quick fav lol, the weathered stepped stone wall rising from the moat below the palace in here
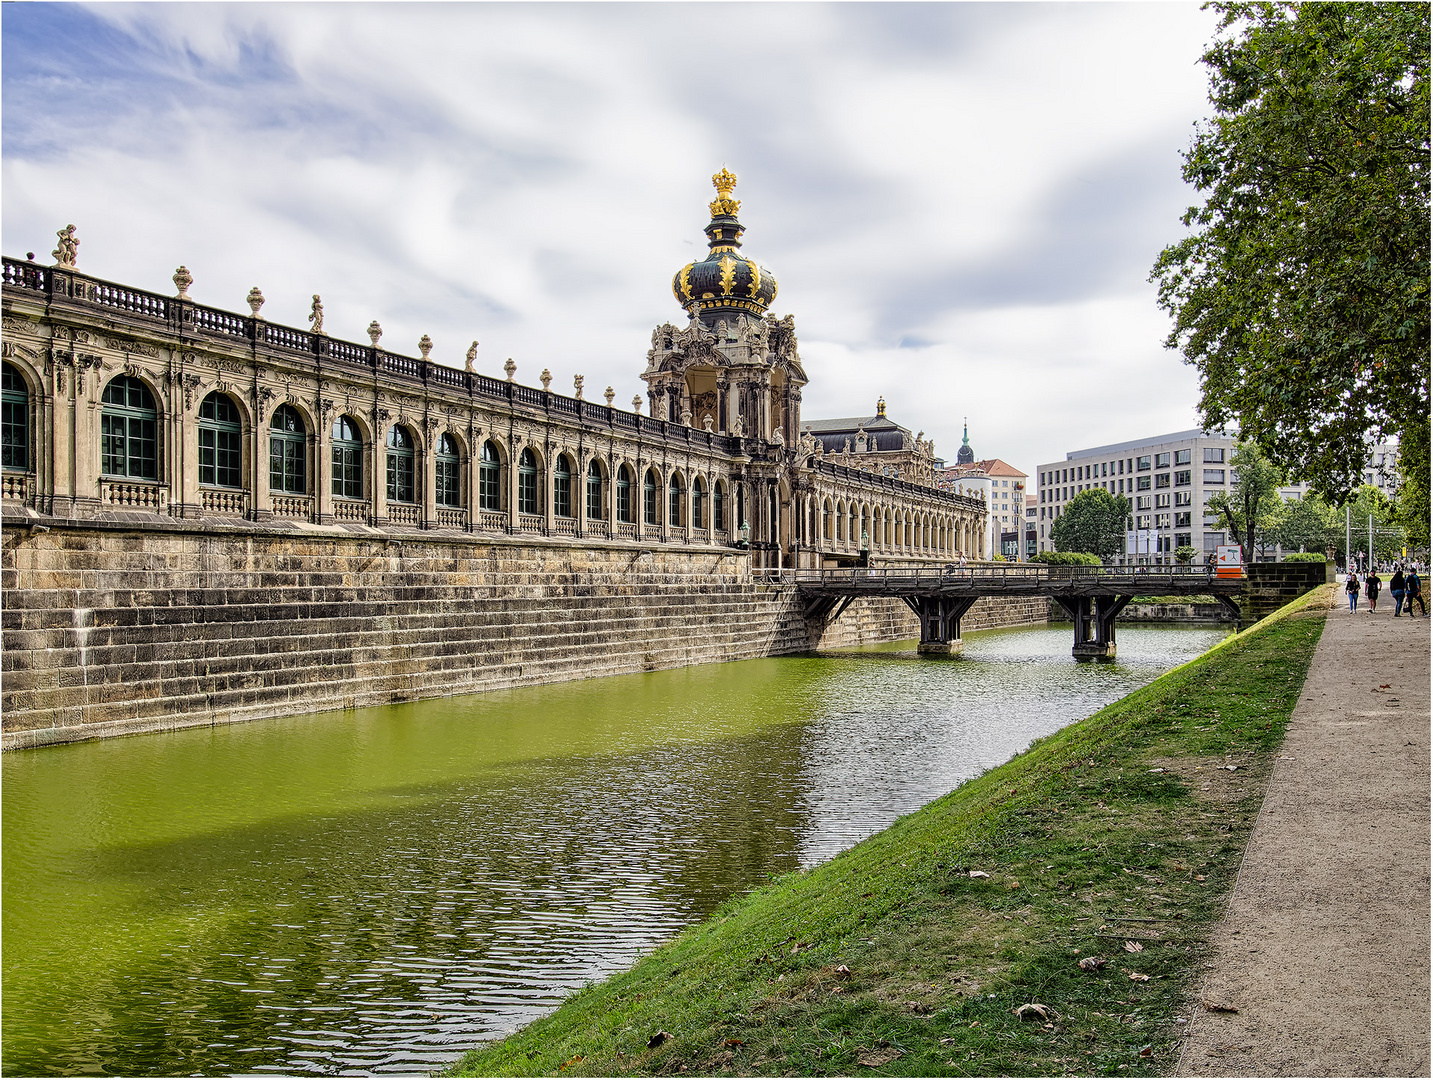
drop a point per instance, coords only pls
(114, 631)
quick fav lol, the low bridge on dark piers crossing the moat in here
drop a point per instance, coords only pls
(939, 597)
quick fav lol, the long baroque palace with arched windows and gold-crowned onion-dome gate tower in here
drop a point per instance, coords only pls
(128, 405)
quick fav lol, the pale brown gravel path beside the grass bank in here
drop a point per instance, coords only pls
(1325, 949)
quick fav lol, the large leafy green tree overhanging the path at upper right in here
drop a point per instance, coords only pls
(1302, 293)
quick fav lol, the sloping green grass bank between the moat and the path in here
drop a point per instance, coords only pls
(1114, 843)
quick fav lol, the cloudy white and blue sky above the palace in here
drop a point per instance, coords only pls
(961, 203)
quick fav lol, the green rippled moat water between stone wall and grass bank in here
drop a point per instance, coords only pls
(376, 892)
